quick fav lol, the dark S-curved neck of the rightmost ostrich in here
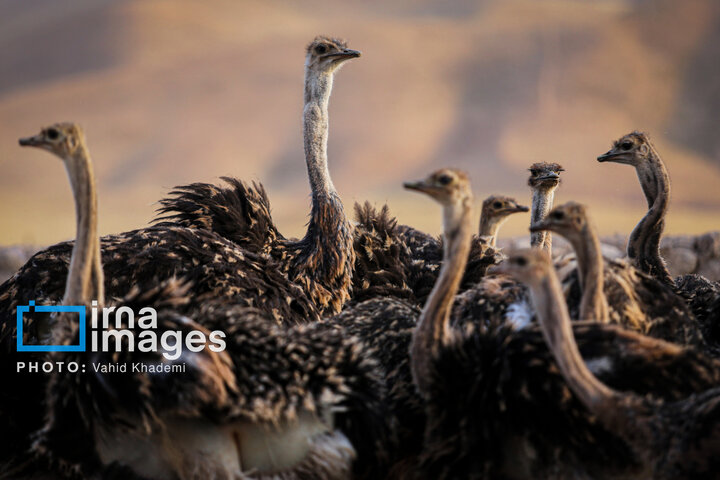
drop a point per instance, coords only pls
(644, 243)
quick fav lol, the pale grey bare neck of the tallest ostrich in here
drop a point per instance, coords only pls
(315, 130)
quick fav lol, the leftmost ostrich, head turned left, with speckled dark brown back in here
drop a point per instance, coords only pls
(217, 269)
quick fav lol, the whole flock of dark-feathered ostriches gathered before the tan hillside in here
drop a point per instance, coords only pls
(366, 349)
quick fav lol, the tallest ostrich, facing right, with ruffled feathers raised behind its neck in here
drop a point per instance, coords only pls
(322, 261)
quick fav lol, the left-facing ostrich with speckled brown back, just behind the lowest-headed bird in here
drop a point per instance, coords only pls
(617, 292)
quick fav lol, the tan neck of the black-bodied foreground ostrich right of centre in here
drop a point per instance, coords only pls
(433, 329)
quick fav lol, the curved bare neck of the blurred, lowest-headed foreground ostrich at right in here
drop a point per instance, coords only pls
(555, 321)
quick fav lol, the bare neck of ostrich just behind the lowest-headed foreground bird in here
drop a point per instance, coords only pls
(593, 305)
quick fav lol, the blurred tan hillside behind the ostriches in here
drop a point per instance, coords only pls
(177, 91)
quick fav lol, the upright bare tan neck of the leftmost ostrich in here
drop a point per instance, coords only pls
(85, 277)
